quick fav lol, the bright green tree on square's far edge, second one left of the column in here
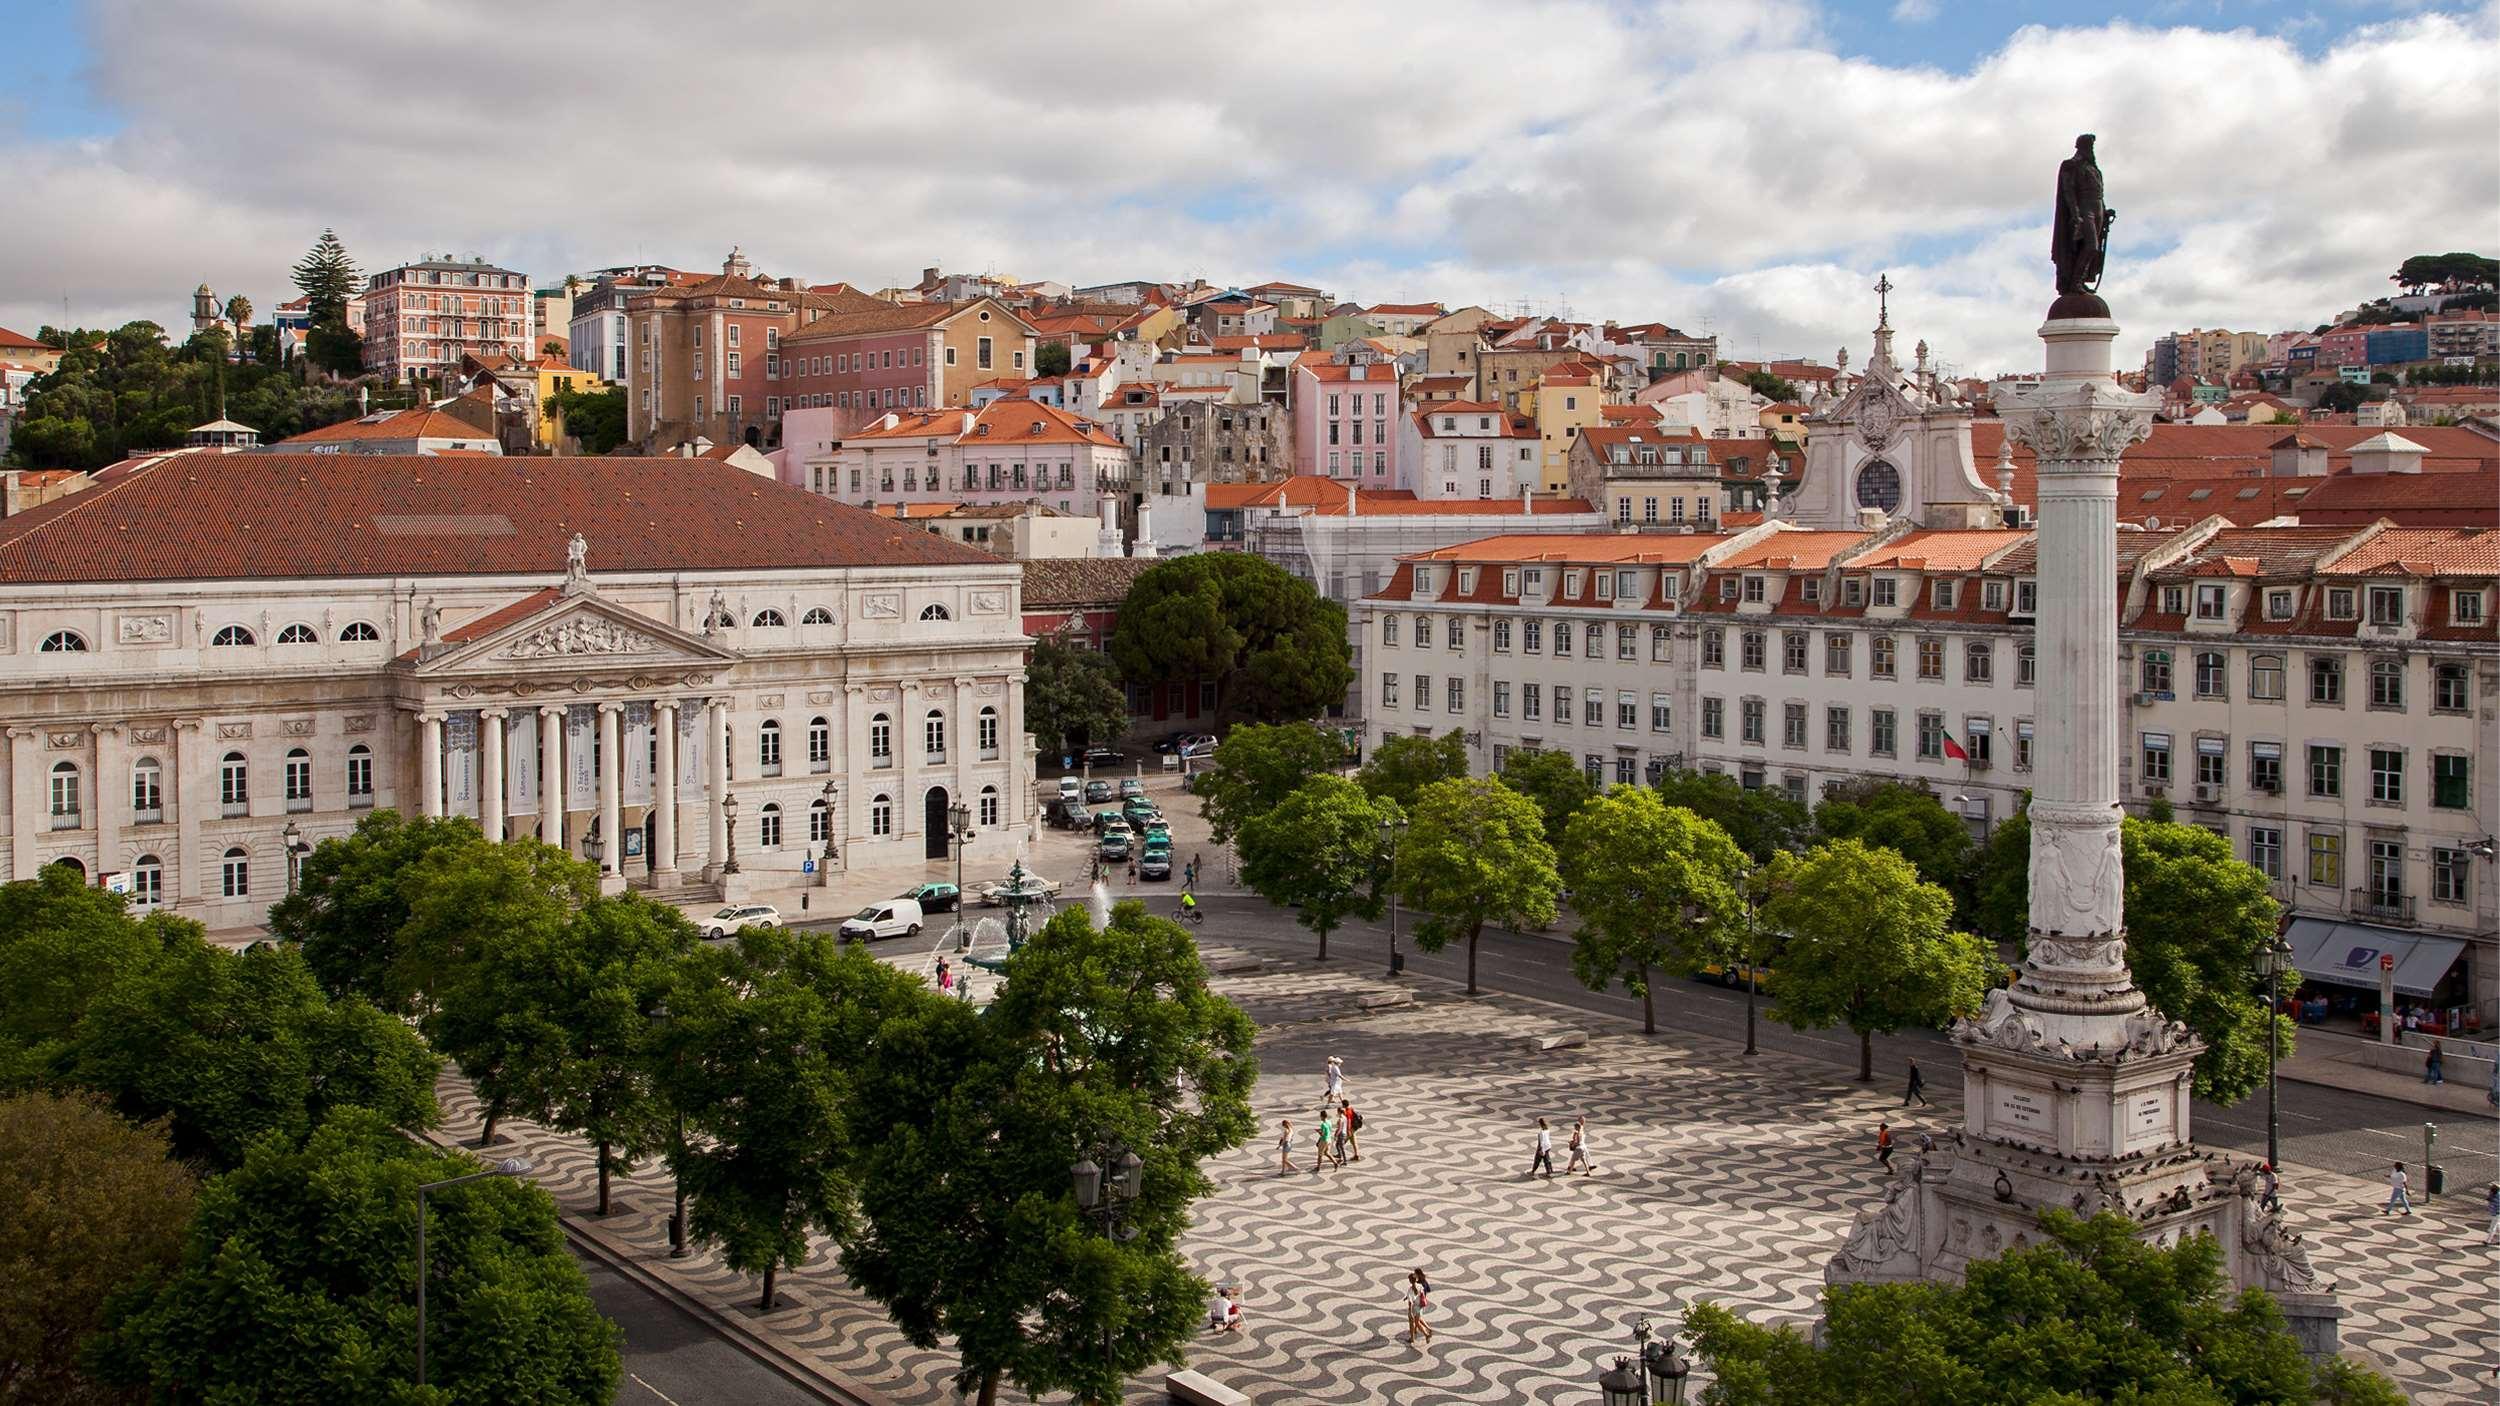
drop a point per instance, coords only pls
(1656, 889)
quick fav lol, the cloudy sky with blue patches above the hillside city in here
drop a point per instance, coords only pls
(1744, 166)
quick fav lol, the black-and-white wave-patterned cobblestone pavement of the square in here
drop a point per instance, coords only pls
(1716, 1180)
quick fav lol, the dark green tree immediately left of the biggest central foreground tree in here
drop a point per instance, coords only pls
(764, 1052)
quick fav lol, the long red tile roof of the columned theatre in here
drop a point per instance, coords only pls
(321, 517)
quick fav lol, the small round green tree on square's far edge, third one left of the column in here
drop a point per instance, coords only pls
(1476, 854)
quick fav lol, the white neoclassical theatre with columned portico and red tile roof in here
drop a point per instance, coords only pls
(689, 674)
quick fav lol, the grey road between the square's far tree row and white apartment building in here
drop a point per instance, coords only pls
(2331, 1130)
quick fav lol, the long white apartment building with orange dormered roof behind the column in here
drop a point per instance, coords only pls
(2329, 699)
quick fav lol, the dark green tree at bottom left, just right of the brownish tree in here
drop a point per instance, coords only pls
(296, 1287)
